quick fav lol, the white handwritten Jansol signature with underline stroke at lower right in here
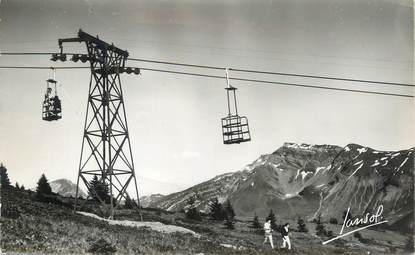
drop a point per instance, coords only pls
(372, 219)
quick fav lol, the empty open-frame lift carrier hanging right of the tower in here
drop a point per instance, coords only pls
(235, 128)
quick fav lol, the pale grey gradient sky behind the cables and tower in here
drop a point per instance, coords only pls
(174, 120)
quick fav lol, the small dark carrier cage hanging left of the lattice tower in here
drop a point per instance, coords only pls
(52, 108)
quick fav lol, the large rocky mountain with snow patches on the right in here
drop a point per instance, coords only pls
(306, 180)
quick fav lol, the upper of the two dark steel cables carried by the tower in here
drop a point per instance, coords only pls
(236, 70)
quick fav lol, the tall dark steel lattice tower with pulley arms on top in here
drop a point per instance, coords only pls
(106, 148)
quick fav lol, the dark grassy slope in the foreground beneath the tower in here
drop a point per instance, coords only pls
(51, 228)
